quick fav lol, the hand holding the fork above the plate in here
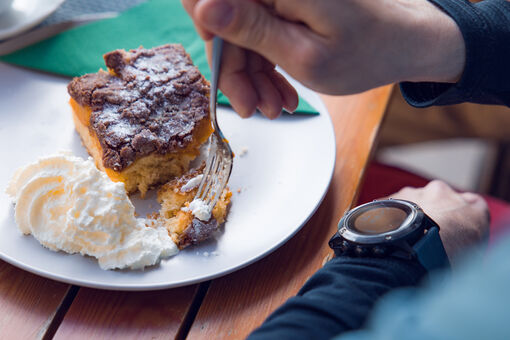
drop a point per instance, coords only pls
(334, 47)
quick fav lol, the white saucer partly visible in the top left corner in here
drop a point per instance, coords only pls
(25, 14)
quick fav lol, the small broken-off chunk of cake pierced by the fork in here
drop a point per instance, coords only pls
(183, 227)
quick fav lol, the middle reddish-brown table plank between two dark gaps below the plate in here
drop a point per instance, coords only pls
(100, 314)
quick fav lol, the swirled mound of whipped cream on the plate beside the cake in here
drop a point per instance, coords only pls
(67, 204)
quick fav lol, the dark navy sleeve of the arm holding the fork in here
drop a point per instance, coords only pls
(485, 27)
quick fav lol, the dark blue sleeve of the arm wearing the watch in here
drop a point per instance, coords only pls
(338, 297)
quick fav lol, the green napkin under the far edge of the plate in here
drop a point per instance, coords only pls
(80, 50)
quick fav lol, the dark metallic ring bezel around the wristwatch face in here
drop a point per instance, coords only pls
(411, 224)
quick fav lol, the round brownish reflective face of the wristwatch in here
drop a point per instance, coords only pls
(379, 220)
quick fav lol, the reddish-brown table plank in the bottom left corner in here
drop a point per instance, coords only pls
(28, 303)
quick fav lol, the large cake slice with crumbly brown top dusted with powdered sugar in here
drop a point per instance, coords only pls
(144, 120)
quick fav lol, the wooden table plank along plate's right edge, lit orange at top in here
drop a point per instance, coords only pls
(236, 304)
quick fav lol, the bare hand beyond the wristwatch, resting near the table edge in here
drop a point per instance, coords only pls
(463, 218)
